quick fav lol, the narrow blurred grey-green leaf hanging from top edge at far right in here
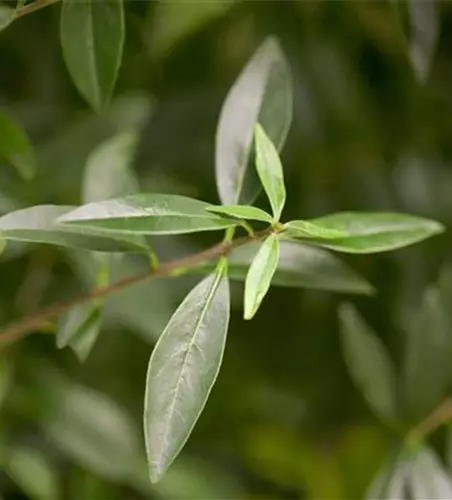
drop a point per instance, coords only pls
(424, 19)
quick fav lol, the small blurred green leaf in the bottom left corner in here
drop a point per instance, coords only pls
(33, 473)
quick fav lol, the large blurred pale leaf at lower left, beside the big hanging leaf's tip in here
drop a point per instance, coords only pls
(90, 428)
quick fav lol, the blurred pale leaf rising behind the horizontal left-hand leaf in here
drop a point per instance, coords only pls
(107, 171)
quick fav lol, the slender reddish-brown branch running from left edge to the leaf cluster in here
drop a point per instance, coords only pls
(24, 327)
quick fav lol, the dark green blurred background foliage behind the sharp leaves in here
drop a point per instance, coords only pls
(284, 419)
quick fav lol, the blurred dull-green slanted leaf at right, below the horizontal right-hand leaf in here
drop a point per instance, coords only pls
(368, 363)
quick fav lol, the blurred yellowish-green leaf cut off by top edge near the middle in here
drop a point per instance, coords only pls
(173, 22)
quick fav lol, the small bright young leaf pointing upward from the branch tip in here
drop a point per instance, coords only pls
(270, 171)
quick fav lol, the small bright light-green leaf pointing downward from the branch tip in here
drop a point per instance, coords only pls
(260, 275)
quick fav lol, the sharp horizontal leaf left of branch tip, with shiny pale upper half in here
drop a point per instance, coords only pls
(147, 214)
